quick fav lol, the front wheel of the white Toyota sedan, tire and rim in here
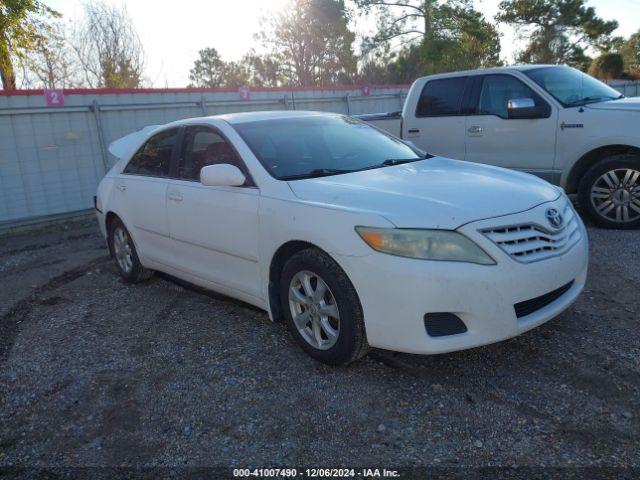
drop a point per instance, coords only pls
(322, 308)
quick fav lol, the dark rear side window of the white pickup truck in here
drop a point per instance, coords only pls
(441, 97)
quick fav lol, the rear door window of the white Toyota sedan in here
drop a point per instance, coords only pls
(153, 159)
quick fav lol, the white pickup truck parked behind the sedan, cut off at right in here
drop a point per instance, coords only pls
(552, 121)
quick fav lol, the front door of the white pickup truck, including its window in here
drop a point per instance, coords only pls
(492, 137)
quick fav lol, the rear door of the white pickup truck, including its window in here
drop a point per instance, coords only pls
(437, 125)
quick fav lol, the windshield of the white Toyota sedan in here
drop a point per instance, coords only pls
(322, 145)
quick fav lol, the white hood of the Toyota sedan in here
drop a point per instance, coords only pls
(432, 193)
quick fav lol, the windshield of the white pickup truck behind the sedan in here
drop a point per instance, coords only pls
(571, 87)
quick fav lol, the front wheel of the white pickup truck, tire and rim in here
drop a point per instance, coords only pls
(609, 193)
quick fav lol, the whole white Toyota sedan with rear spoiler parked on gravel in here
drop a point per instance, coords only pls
(351, 236)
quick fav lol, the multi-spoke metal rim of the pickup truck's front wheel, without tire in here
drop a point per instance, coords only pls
(615, 195)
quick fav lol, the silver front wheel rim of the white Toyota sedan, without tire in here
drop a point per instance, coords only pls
(314, 310)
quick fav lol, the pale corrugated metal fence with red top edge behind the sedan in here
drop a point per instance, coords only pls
(52, 157)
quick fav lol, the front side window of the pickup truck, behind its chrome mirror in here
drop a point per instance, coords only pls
(496, 92)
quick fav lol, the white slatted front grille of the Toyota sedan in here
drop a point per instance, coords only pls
(532, 242)
